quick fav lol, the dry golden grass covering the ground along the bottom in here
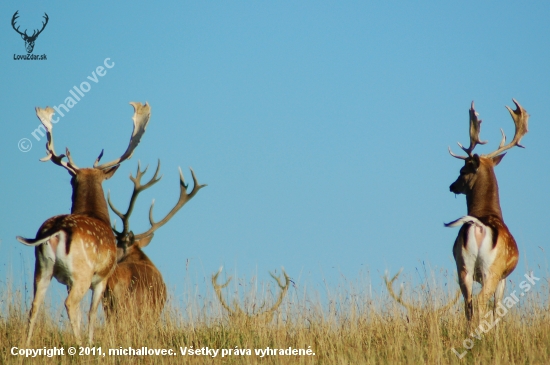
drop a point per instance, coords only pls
(351, 326)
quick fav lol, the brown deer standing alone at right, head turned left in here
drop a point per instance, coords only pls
(484, 249)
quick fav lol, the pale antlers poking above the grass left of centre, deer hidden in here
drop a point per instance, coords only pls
(237, 314)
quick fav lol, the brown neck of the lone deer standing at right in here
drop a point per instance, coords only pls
(483, 199)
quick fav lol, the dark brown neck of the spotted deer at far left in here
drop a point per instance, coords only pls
(89, 199)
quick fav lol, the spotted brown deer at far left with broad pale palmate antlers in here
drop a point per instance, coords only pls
(79, 249)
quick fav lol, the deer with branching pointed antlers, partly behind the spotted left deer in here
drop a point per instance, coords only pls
(136, 286)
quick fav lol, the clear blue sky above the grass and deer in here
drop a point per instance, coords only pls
(321, 128)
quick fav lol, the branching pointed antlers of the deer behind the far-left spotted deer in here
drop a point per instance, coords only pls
(138, 188)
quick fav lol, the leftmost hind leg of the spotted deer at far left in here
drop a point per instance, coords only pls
(43, 272)
